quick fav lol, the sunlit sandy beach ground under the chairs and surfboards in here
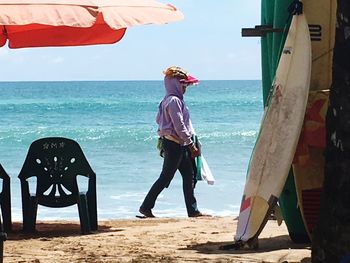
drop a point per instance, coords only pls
(150, 240)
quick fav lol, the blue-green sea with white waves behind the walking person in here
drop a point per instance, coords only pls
(114, 123)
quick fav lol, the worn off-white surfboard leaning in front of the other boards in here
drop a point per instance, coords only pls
(279, 133)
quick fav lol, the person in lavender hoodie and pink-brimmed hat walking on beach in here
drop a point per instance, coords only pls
(175, 131)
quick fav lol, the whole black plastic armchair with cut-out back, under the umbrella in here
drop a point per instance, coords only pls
(56, 162)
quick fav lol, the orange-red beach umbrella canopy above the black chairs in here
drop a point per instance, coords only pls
(44, 23)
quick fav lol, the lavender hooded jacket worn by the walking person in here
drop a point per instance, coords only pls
(173, 117)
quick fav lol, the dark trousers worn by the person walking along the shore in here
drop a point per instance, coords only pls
(176, 157)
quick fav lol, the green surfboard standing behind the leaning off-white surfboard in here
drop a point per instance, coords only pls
(275, 13)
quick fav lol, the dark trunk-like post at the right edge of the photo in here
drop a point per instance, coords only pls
(331, 236)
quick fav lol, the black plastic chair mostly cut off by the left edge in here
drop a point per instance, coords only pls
(5, 200)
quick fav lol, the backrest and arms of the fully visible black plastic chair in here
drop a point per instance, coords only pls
(56, 162)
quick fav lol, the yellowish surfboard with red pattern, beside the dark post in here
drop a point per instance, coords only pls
(309, 161)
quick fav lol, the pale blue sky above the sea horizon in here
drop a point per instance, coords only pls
(207, 43)
